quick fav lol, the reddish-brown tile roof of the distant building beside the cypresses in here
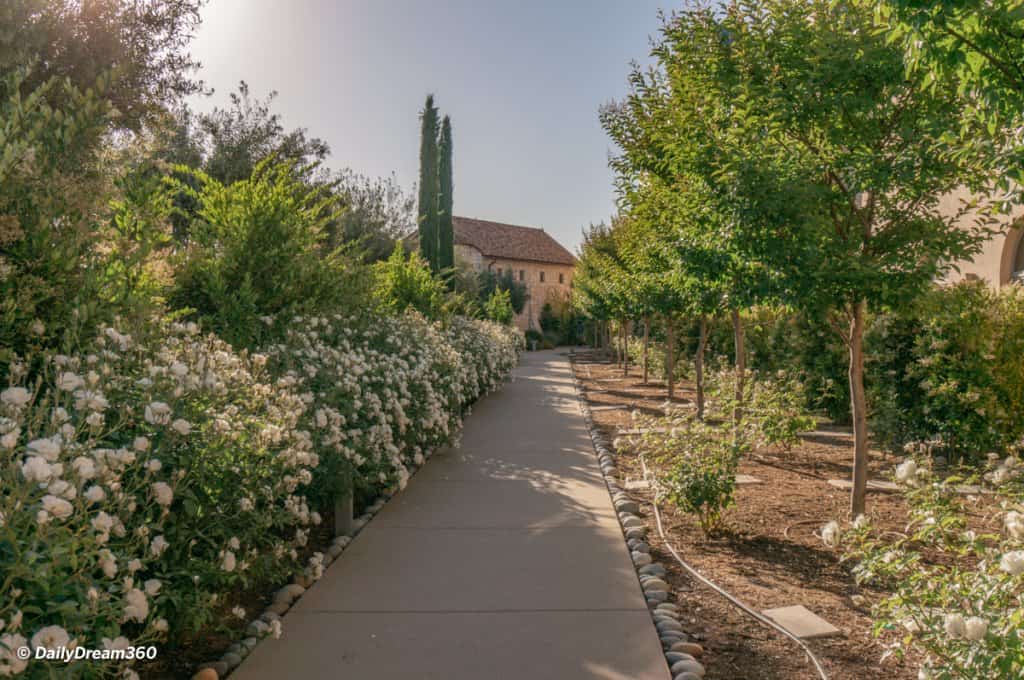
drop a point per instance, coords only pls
(510, 242)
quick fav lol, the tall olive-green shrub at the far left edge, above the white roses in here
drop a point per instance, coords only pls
(53, 204)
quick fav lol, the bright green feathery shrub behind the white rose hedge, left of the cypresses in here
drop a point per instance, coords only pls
(258, 250)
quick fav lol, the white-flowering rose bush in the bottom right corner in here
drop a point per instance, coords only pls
(956, 591)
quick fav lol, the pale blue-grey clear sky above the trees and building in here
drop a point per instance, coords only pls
(523, 81)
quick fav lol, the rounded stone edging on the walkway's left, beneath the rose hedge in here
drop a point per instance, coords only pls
(285, 599)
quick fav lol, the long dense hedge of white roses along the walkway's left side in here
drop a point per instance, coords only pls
(144, 480)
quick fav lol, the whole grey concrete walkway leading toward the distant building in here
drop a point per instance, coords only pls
(501, 560)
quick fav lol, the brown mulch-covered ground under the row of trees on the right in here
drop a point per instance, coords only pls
(769, 556)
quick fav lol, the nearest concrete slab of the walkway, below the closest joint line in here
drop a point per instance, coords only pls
(509, 646)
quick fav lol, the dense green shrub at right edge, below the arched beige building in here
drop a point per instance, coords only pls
(951, 370)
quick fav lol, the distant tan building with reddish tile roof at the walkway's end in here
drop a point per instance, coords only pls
(534, 258)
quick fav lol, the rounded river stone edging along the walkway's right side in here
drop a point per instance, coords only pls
(680, 652)
